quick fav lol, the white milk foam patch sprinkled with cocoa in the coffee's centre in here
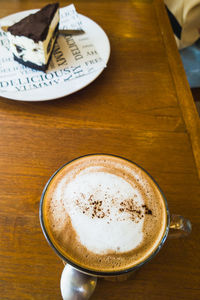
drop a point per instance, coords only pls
(106, 211)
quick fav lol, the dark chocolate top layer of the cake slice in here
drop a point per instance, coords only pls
(35, 26)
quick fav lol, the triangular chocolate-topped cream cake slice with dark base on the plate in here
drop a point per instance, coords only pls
(32, 38)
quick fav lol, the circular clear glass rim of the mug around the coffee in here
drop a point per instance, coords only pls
(87, 270)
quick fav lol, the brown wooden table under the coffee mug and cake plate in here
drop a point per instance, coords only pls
(140, 108)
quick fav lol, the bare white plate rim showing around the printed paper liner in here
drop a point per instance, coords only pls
(102, 45)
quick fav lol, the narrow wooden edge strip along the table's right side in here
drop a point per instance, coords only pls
(184, 96)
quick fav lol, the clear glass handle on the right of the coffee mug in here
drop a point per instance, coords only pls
(179, 226)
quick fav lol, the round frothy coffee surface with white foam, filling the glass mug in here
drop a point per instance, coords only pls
(103, 212)
